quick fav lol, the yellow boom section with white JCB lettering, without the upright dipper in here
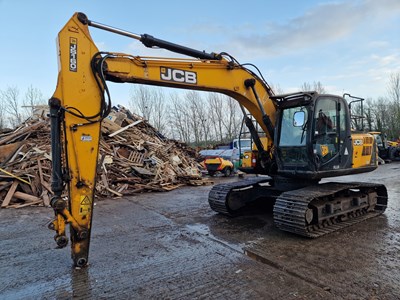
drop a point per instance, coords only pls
(213, 75)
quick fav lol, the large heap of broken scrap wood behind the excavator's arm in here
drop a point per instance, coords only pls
(134, 157)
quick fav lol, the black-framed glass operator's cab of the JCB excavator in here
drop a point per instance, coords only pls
(313, 135)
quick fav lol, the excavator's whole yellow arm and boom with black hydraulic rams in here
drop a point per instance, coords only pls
(79, 104)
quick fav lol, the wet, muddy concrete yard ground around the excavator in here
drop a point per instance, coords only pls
(172, 246)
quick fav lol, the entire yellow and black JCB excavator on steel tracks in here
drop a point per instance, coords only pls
(309, 137)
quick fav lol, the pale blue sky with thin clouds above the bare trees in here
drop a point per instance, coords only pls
(349, 46)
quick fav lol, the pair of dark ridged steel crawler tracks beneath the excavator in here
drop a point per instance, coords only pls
(291, 207)
